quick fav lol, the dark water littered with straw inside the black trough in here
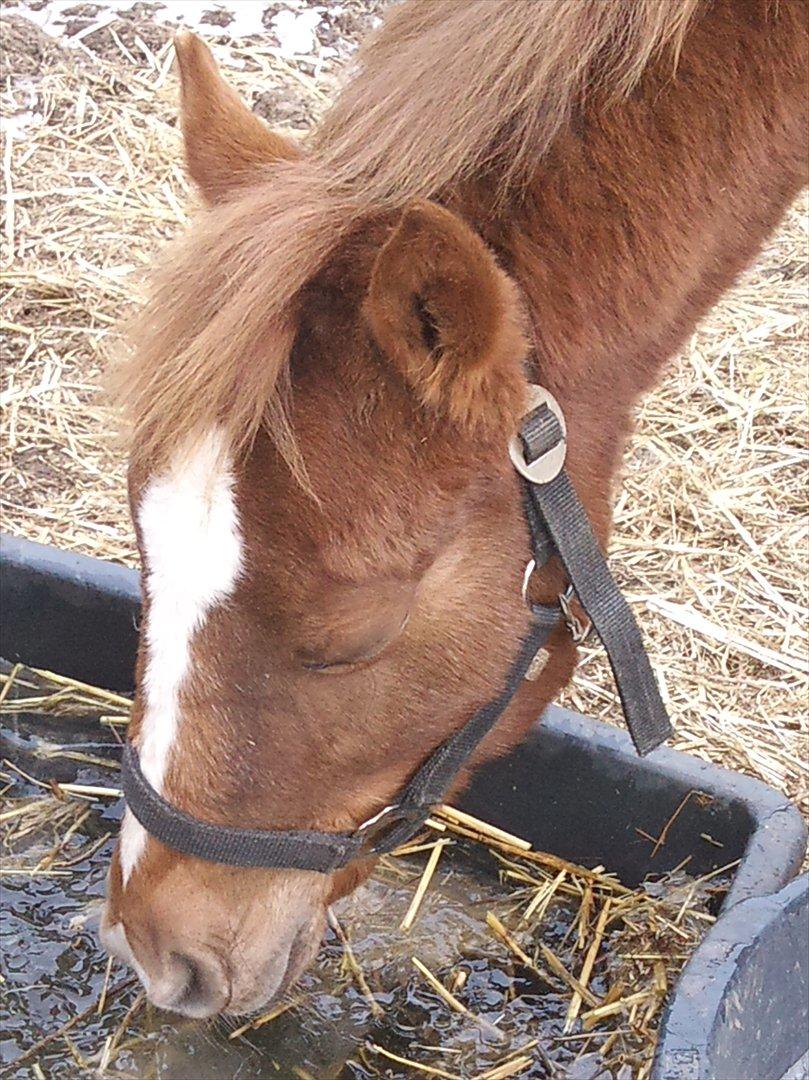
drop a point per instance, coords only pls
(57, 855)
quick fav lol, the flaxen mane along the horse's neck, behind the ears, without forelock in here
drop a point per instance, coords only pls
(447, 89)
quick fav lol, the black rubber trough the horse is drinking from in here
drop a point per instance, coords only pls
(740, 1010)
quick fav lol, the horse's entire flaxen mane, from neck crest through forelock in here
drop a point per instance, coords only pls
(443, 91)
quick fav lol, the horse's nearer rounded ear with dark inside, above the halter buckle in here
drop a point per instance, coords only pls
(443, 312)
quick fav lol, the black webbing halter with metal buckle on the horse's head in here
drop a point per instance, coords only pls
(559, 525)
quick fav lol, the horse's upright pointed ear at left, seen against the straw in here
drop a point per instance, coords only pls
(226, 144)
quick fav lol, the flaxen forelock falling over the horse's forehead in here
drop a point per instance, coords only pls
(211, 346)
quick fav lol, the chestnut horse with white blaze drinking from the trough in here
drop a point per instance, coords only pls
(323, 385)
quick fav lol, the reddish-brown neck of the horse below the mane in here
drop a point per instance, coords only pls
(641, 218)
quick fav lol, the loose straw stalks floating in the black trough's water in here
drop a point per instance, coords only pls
(617, 952)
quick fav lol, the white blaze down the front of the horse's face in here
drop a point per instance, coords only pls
(193, 553)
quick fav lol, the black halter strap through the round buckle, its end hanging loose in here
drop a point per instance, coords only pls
(567, 522)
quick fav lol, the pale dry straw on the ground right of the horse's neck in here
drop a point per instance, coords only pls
(711, 530)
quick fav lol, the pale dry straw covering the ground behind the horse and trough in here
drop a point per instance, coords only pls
(711, 531)
